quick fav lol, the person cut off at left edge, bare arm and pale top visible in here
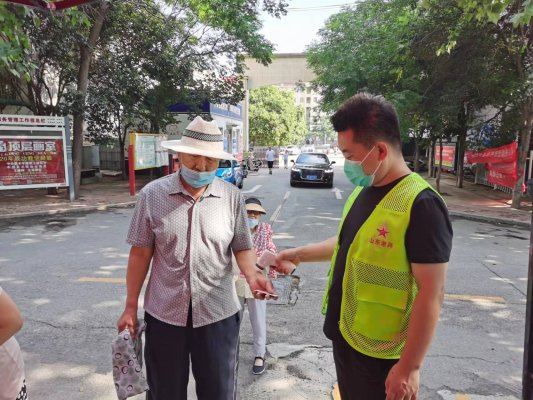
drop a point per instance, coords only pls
(12, 382)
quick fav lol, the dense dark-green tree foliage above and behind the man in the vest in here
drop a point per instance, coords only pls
(441, 80)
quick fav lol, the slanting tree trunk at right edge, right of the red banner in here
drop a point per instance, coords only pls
(524, 139)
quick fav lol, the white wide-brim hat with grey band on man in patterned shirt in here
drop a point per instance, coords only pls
(202, 138)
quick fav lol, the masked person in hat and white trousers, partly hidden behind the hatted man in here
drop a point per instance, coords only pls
(262, 240)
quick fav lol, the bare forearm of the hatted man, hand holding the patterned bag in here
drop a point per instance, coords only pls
(138, 265)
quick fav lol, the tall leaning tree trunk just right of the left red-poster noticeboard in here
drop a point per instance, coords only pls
(86, 52)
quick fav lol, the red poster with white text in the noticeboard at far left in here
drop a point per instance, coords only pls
(37, 161)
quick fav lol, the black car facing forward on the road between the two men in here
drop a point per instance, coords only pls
(312, 168)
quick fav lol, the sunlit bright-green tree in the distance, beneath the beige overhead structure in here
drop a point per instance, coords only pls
(275, 119)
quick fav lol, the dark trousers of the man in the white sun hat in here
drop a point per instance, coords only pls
(213, 351)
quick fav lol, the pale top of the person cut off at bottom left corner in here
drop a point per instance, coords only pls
(11, 368)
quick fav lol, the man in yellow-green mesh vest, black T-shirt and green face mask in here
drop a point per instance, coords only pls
(388, 261)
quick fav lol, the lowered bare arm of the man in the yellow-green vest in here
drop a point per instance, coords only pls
(404, 377)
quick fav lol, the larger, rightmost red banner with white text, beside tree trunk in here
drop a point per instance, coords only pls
(500, 163)
